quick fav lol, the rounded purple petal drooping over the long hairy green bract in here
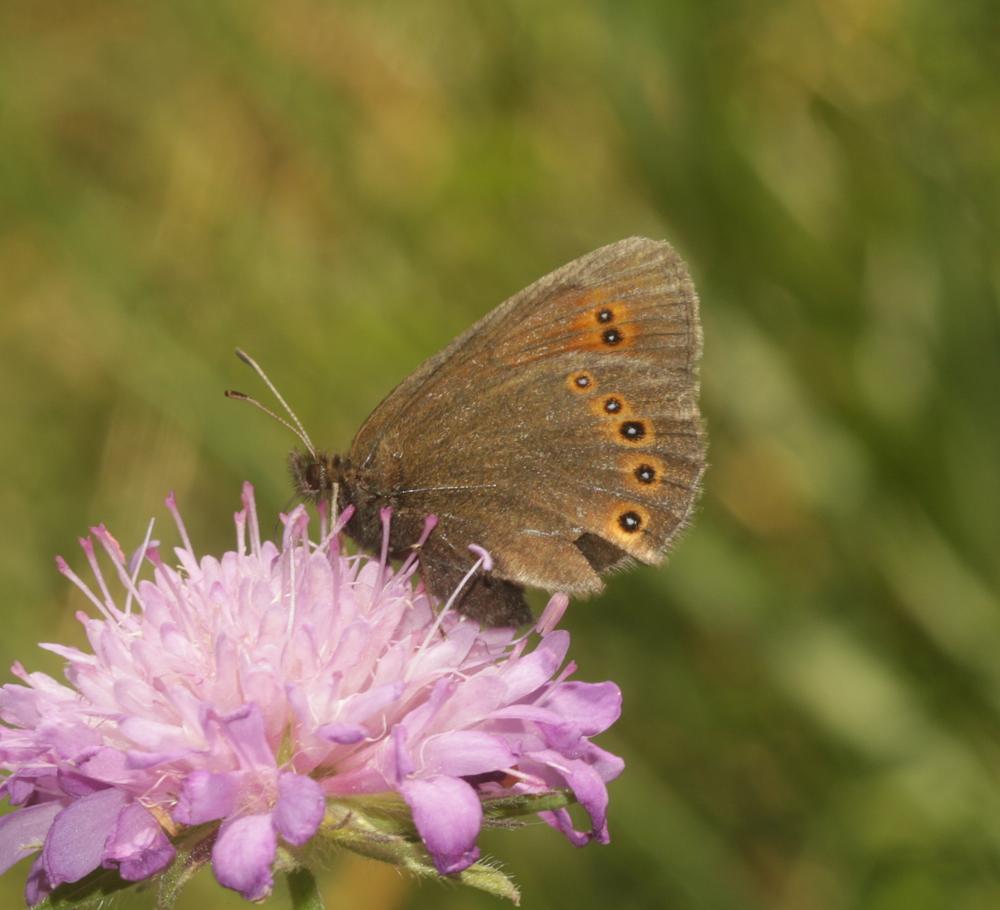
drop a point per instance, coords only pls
(448, 815)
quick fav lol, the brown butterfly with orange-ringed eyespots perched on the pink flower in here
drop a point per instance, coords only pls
(561, 433)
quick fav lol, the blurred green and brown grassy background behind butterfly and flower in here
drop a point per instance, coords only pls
(812, 686)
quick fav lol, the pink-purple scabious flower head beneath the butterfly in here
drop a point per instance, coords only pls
(243, 707)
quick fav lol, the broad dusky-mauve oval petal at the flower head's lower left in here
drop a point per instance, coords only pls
(75, 843)
